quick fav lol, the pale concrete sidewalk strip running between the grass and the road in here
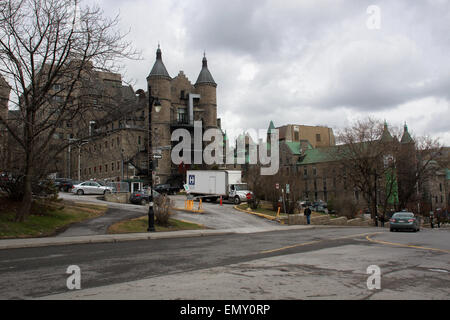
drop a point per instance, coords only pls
(58, 241)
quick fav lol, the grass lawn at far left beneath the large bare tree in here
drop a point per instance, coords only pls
(45, 219)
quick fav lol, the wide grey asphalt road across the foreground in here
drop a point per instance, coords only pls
(328, 263)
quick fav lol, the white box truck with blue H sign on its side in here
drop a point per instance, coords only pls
(211, 184)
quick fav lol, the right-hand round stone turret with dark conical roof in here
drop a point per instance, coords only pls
(206, 87)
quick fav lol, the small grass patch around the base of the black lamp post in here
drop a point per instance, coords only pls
(141, 224)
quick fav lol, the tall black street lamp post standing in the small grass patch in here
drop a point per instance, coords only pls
(151, 101)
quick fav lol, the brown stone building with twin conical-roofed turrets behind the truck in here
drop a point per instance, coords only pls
(119, 149)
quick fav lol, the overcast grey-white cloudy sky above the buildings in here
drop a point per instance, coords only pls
(303, 61)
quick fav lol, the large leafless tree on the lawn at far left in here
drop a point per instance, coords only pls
(47, 52)
